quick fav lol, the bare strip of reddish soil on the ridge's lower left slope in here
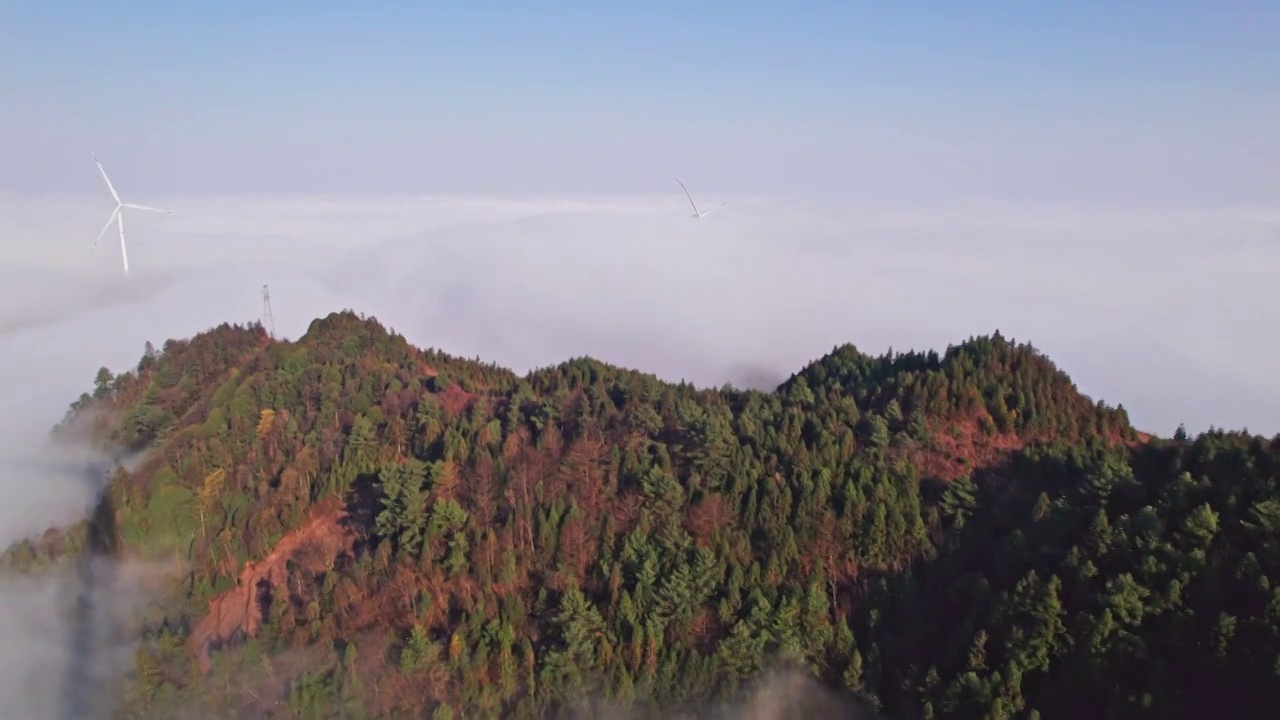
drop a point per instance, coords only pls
(317, 544)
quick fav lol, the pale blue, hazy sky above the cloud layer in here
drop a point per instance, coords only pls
(1136, 102)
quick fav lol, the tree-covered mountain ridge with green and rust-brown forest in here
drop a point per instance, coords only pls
(399, 532)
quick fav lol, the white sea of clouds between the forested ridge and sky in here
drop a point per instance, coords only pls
(1167, 312)
